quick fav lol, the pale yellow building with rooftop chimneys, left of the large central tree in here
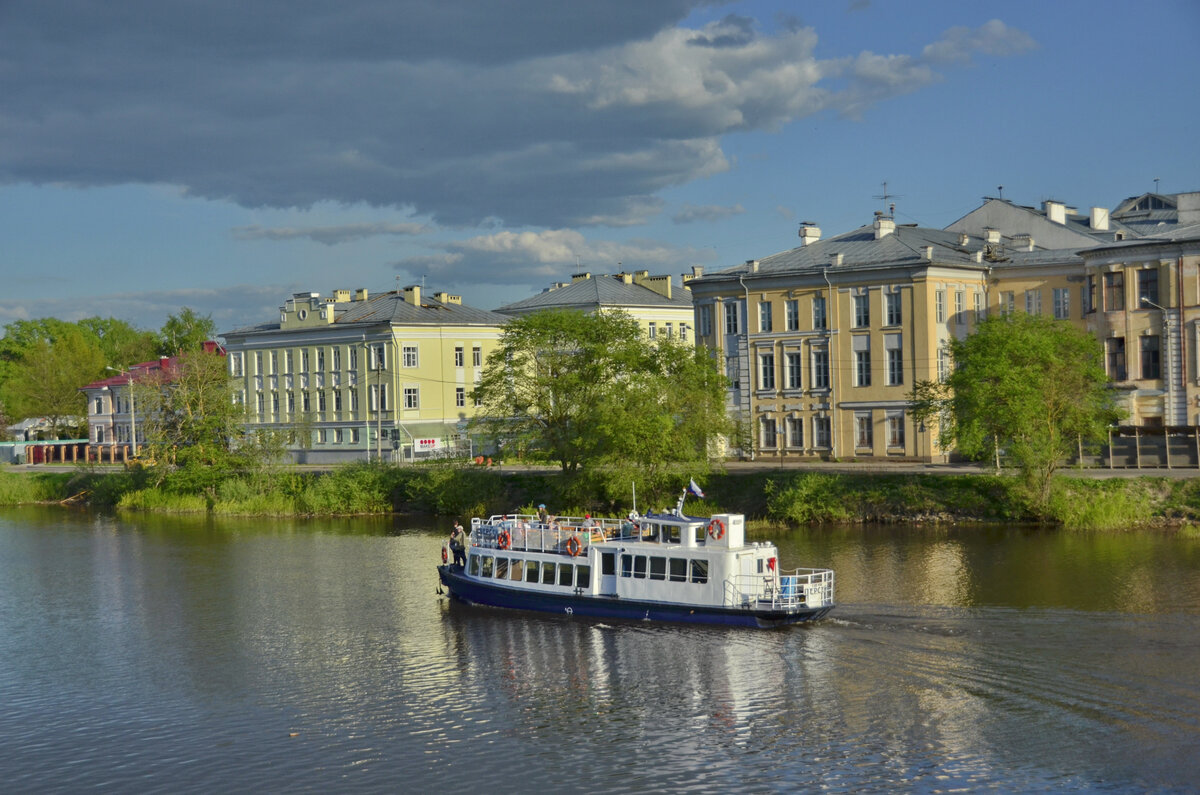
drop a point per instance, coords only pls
(356, 375)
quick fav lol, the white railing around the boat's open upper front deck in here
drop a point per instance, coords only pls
(527, 534)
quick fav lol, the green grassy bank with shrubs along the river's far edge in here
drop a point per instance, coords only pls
(801, 498)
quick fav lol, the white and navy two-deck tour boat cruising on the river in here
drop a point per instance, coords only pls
(657, 567)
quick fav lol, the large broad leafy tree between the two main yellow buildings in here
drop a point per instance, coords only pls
(593, 391)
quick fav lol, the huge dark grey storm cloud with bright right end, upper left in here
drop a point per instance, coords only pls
(533, 112)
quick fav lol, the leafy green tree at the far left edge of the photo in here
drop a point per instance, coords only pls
(45, 380)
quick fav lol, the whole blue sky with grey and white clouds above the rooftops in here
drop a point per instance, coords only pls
(224, 156)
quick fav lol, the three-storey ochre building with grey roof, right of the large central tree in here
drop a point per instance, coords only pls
(823, 343)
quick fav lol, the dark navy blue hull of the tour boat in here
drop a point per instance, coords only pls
(591, 607)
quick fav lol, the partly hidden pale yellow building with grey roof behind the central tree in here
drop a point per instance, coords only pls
(661, 307)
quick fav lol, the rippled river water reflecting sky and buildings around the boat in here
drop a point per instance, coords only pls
(152, 655)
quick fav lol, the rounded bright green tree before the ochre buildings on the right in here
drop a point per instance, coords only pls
(1028, 385)
